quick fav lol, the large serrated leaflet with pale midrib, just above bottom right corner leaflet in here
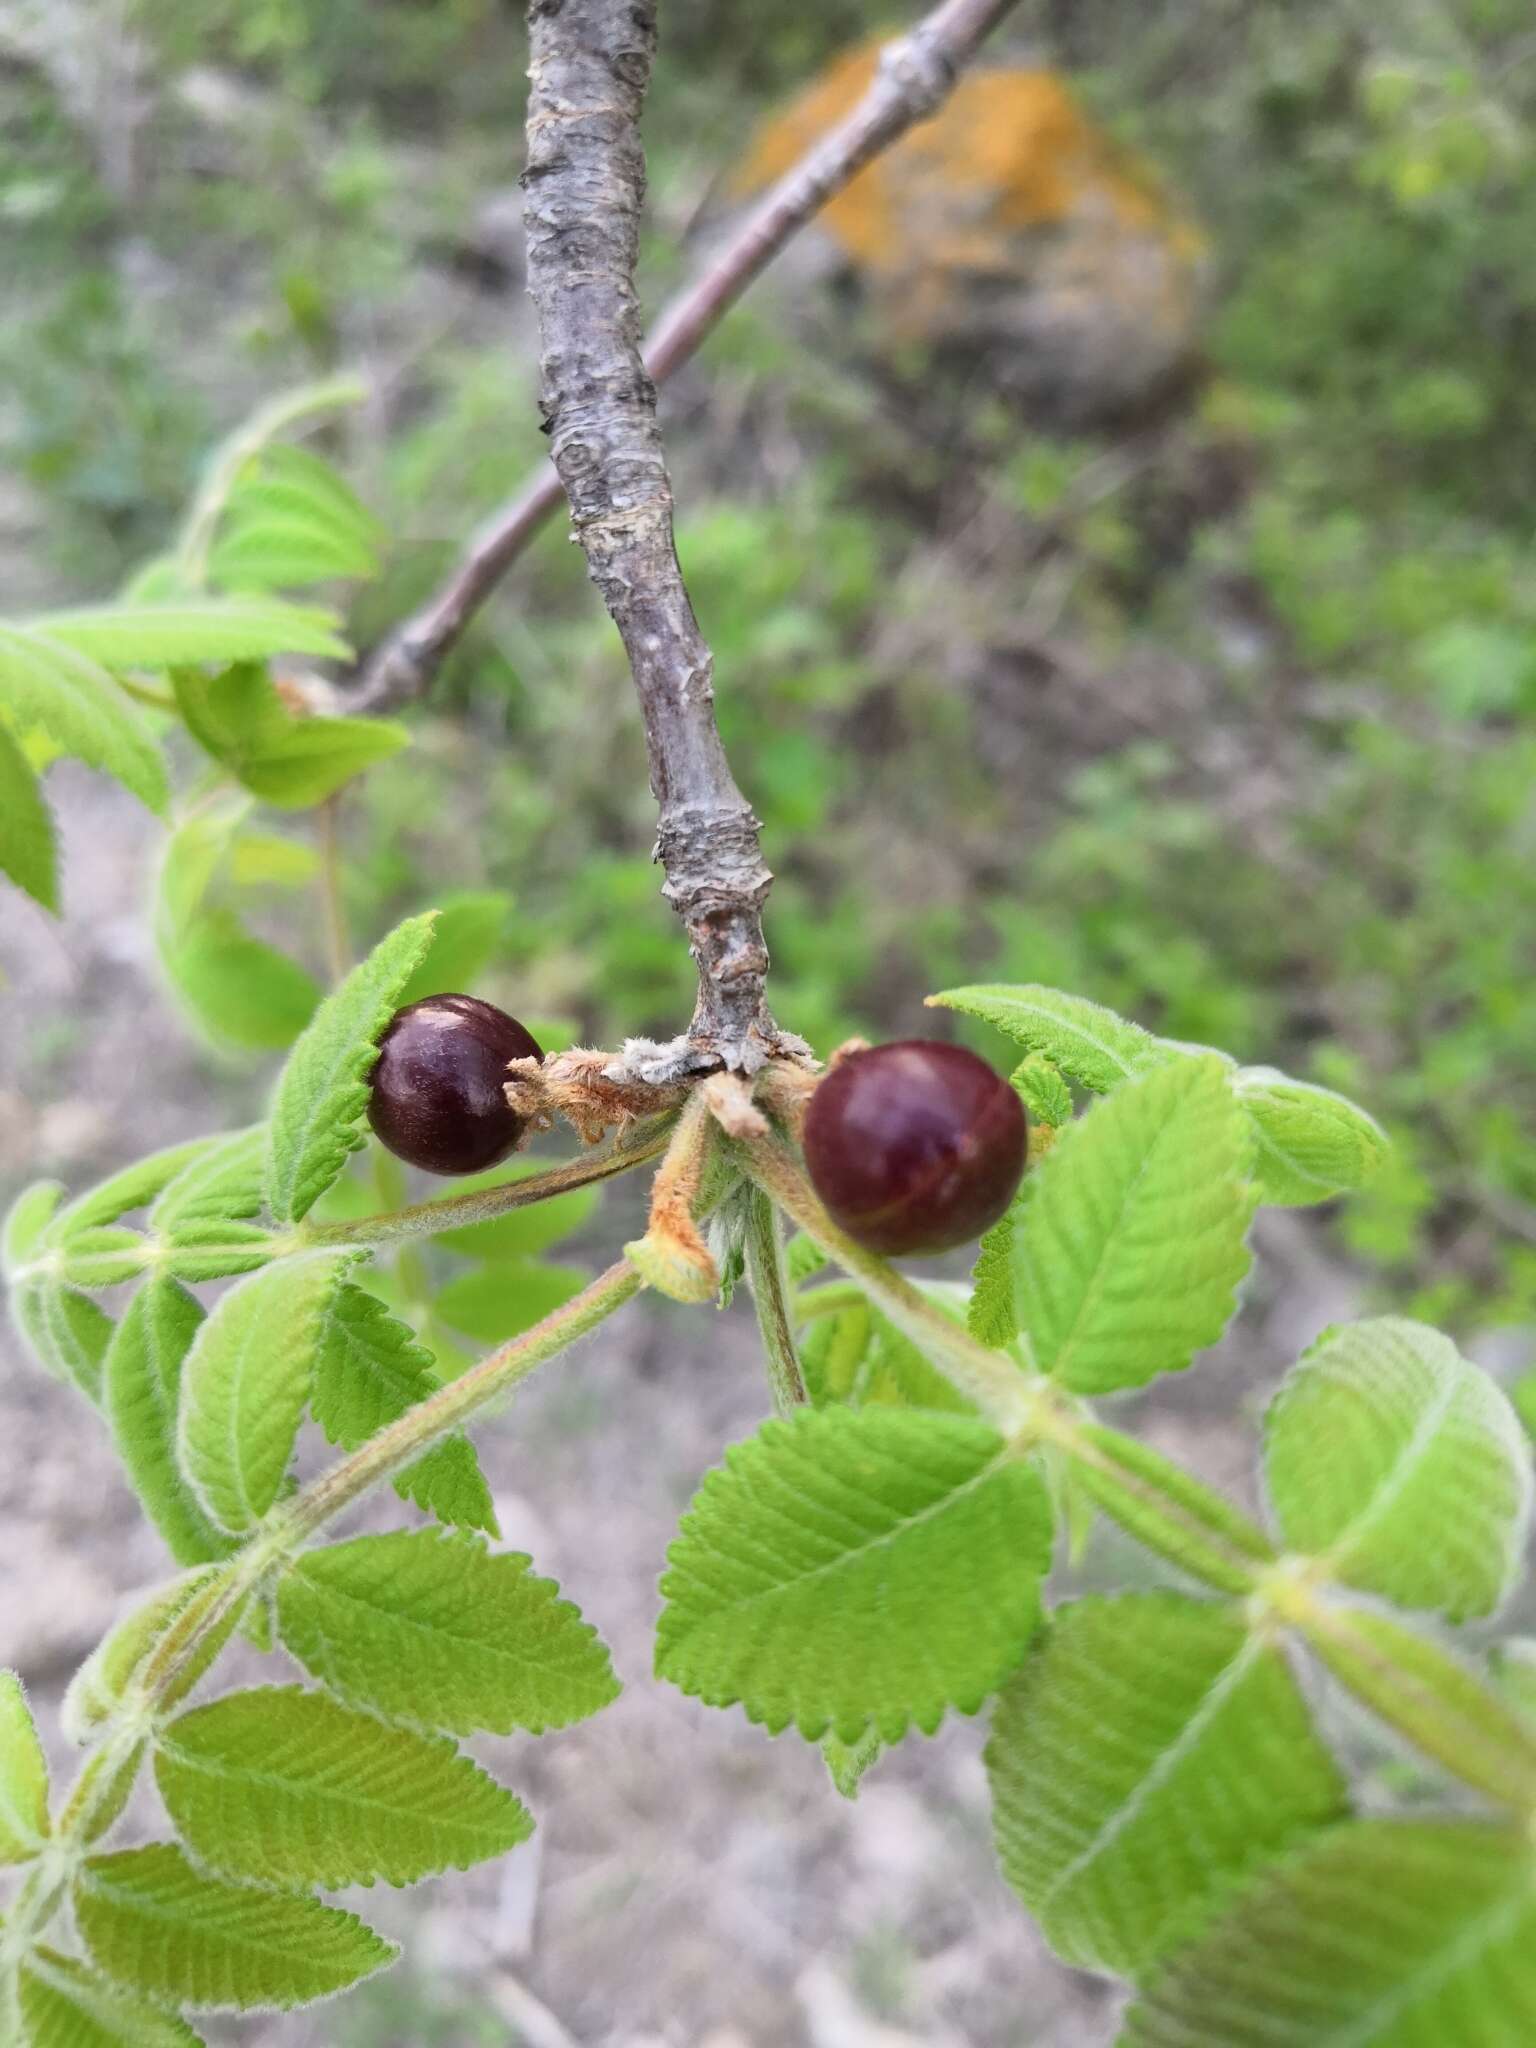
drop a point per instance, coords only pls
(1150, 1756)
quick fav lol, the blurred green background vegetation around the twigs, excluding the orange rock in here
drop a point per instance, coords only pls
(1222, 712)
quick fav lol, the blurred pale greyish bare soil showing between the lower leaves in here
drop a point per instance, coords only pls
(693, 1885)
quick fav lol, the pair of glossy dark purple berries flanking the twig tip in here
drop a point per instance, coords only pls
(912, 1146)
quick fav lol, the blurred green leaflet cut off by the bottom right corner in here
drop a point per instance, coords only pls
(1383, 1934)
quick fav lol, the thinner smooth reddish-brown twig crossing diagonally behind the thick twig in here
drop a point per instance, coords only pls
(914, 79)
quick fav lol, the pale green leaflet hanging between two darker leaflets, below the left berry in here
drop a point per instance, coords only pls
(247, 1381)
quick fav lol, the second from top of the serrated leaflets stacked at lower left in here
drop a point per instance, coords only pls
(290, 1787)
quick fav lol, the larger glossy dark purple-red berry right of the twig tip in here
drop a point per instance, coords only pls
(914, 1146)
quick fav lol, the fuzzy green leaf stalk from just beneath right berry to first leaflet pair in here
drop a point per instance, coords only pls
(992, 1381)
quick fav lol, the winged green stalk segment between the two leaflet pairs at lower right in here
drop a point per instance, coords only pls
(1170, 1510)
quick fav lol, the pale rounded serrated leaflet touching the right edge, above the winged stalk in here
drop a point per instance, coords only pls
(1404, 1465)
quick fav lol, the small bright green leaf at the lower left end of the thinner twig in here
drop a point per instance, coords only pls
(275, 753)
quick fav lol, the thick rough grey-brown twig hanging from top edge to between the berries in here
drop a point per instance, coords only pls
(585, 189)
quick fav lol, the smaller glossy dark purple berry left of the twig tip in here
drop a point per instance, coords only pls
(437, 1086)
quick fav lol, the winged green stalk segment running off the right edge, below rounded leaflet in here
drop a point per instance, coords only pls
(1433, 1697)
